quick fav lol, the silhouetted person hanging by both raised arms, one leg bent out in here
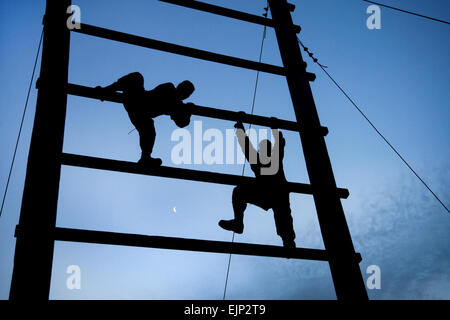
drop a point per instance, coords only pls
(269, 190)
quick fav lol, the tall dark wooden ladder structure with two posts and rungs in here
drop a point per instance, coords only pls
(37, 231)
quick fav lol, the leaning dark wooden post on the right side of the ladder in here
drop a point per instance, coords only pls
(347, 278)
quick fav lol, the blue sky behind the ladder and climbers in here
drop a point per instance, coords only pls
(398, 75)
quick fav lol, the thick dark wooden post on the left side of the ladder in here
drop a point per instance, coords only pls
(34, 246)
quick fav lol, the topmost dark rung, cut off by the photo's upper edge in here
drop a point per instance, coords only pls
(243, 16)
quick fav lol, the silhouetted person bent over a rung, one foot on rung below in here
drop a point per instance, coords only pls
(142, 106)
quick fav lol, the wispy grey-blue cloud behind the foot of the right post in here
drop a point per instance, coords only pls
(403, 230)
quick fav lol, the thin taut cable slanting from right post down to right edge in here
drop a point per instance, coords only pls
(373, 126)
